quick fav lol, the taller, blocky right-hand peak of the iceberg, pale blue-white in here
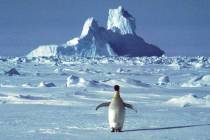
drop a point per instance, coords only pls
(119, 20)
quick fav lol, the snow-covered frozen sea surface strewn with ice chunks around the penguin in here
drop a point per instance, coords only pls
(168, 111)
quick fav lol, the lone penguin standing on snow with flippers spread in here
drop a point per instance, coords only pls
(116, 110)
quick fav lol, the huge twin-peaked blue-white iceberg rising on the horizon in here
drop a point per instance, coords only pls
(119, 39)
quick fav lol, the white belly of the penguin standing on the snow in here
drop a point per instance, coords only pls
(116, 115)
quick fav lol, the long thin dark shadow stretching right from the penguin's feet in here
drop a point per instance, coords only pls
(165, 128)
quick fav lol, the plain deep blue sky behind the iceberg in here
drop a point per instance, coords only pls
(179, 27)
